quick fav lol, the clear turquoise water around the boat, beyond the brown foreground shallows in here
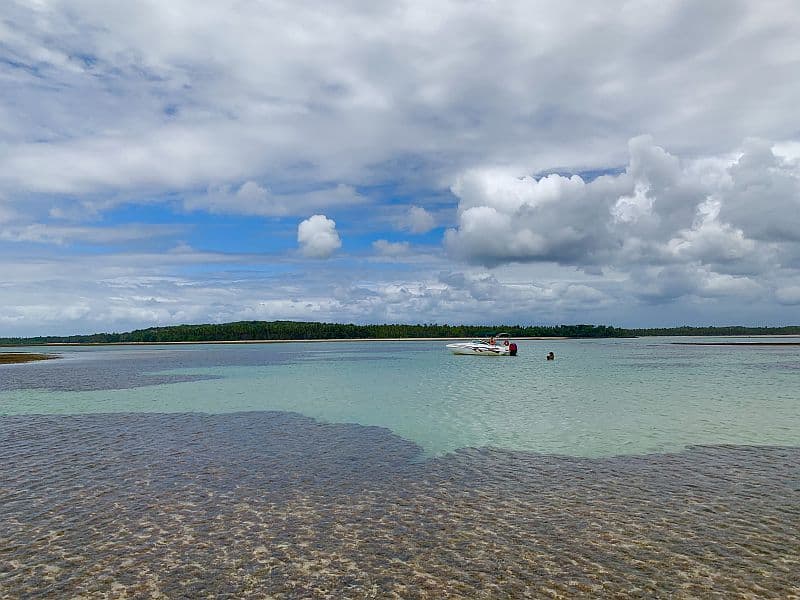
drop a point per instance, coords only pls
(598, 398)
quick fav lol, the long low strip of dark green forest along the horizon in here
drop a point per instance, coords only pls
(297, 330)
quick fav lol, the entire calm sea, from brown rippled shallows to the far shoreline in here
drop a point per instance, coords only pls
(625, 468)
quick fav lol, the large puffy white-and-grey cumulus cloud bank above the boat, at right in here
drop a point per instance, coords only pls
(709, 226)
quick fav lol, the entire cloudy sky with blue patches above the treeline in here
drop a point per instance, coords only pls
(536, 162)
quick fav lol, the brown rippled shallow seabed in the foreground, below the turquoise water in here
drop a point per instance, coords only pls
(270, 504)
